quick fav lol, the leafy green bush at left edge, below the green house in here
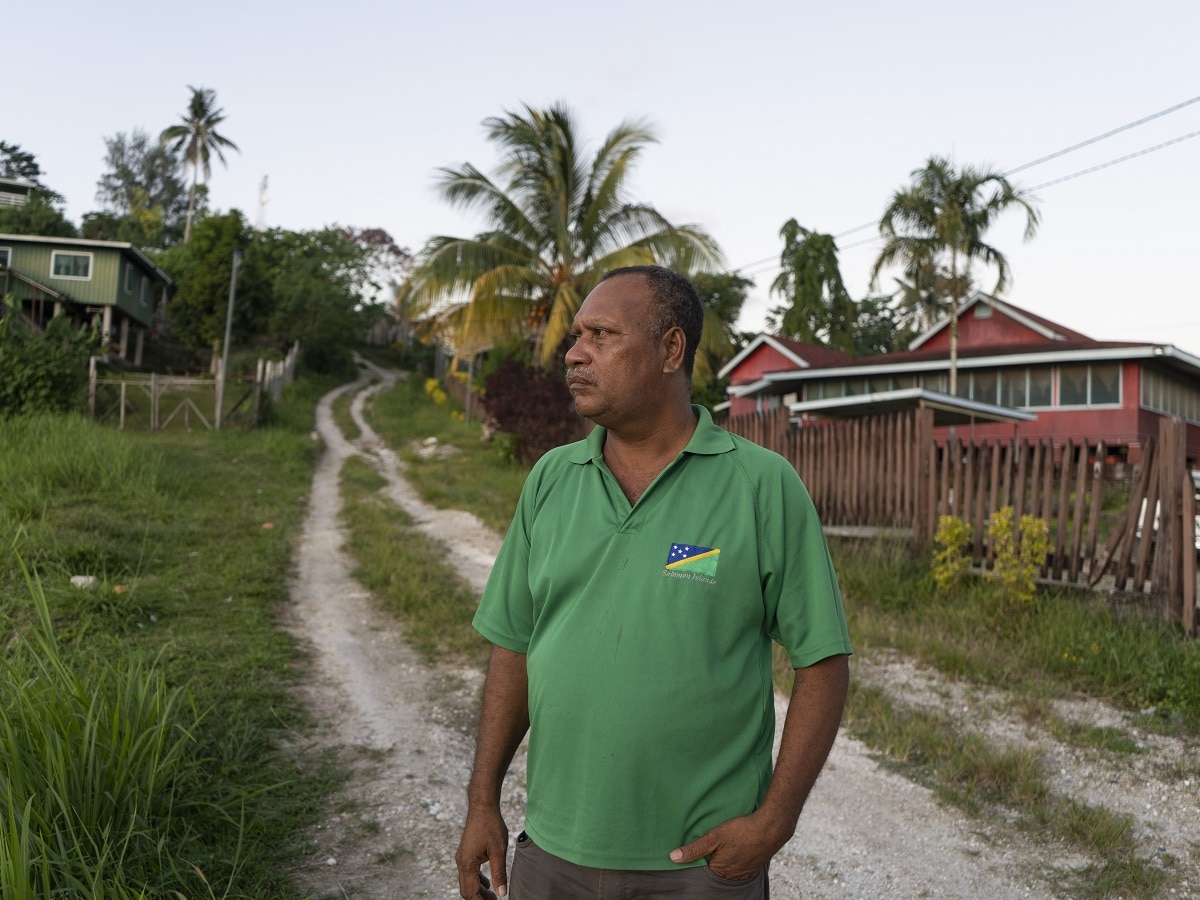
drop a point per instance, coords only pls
(43, 373)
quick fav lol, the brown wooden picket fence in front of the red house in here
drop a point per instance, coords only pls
(1130, 535)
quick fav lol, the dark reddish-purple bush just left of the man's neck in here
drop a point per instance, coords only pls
(535, 405)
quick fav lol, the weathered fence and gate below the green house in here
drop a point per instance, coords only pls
(158, 403)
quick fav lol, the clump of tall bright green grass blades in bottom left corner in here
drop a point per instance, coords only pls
(103, 777)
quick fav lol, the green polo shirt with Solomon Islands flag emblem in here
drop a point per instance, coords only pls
(647, 632)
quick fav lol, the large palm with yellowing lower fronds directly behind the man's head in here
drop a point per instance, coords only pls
(556, 223)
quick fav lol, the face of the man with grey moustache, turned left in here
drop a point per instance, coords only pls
(615, 369)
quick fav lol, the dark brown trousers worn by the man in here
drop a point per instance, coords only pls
(537, 875)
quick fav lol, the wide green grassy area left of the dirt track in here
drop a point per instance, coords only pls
(189, 539)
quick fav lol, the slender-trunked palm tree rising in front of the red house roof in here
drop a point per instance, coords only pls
(941, 220)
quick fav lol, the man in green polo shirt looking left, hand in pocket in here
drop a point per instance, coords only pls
(632, 610)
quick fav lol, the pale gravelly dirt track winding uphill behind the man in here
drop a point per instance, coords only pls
(404, 731)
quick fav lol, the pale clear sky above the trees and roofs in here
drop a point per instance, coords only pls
(764, 111)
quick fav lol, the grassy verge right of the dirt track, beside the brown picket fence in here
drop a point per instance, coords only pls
(1063, 645)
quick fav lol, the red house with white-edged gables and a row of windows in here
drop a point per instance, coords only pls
(1058, 382)
